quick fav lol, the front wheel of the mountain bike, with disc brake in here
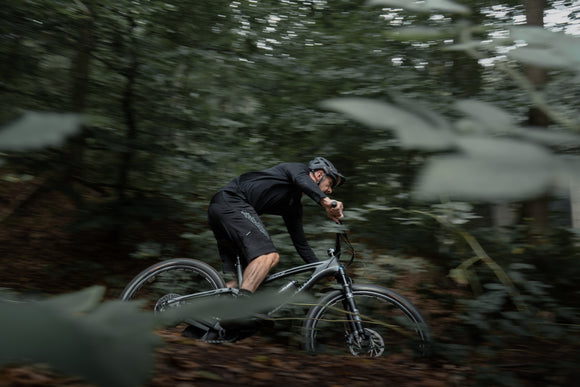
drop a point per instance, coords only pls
(391, 323)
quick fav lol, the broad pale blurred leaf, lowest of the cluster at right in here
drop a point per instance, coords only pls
(489, 169)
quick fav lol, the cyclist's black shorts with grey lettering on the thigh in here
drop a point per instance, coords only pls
(238, 230)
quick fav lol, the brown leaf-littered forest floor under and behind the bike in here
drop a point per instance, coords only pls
(38, 256)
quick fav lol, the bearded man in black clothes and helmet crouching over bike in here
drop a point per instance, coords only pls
(234, 212)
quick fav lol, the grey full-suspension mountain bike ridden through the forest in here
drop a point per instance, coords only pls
(363, 319)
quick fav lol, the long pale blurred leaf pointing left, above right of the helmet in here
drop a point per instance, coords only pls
(414, 131)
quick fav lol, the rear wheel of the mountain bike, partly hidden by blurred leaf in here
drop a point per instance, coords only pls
(172, 277)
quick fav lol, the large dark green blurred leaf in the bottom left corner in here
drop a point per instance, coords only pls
(112, 345)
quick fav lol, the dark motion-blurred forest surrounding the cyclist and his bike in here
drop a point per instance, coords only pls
(455, 123)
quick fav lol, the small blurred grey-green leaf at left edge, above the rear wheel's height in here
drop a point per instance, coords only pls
(39, 130)
